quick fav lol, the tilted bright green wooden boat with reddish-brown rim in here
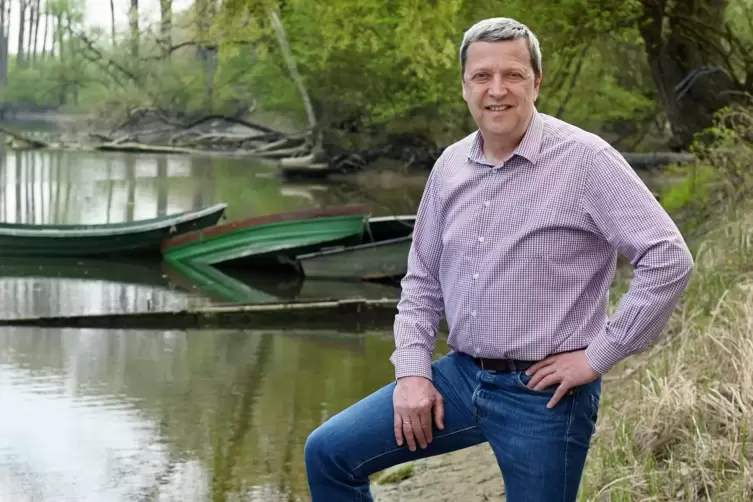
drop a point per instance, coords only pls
(270, 241)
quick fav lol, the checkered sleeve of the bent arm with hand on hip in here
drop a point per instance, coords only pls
(629, 217)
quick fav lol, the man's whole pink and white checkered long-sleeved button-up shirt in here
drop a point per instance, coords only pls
(520, 256)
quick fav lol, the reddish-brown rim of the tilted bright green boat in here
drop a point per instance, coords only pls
(199, 236)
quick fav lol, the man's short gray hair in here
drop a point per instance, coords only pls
(498, 29)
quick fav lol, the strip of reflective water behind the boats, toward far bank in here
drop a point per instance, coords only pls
(102, 187)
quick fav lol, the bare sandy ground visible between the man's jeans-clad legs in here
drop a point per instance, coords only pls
(470, 475)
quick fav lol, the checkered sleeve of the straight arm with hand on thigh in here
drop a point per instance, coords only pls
(421, 302)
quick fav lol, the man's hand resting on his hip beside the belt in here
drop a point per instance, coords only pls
(569, 369)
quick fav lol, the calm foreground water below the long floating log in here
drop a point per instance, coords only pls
(222, 415)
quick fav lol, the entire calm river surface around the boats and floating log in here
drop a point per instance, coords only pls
(205, 415)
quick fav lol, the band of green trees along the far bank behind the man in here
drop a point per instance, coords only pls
(643, 73)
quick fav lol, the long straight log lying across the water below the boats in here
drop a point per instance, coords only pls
(352, 314)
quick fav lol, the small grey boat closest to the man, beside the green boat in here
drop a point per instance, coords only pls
(383, 253)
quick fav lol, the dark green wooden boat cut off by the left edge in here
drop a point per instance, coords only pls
(126, 239)
